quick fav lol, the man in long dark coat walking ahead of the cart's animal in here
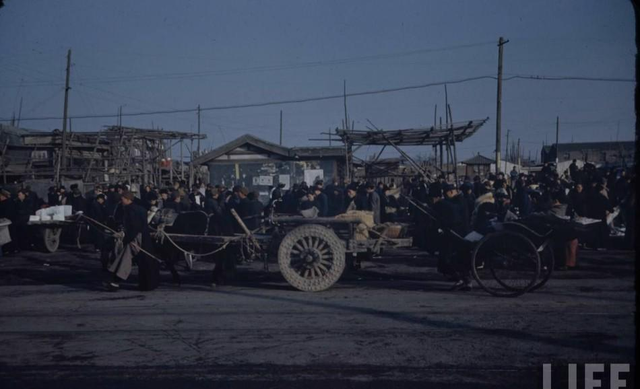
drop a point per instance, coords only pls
(135, 237)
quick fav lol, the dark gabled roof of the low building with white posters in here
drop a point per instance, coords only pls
(251, 142)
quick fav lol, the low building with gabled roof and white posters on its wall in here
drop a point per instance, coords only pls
(258, 164)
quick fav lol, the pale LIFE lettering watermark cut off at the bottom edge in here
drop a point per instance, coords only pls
(594, 374)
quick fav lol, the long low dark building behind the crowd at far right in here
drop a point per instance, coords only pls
(598, 153)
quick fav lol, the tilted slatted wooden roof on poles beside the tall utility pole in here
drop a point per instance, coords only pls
(420, 136)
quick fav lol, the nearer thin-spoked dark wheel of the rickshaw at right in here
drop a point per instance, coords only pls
(506, 264)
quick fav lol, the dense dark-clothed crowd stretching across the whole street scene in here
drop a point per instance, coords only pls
(474, 204)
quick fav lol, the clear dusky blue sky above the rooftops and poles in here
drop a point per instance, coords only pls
(159, 54)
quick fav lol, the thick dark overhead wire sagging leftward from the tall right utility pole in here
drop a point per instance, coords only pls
(331, 97)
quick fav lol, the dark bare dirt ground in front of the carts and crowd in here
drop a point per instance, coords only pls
(395, 323)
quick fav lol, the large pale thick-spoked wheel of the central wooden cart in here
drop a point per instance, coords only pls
(311, 258)
